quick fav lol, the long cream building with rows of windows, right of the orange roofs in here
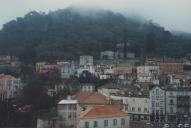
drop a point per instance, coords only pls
(137, 105)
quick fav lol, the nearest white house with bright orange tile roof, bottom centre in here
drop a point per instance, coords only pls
(104, 116)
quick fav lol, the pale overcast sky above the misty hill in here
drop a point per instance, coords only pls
(174, 15)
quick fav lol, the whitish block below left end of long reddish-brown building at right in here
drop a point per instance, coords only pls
(148, 74)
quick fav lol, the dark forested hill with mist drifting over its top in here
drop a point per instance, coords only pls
(68, 33)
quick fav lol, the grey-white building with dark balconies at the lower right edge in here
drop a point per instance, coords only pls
(178, 104)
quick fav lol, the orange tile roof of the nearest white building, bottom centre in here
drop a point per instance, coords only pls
(102, 112)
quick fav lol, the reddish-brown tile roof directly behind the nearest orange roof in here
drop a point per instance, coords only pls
(91, 98)
